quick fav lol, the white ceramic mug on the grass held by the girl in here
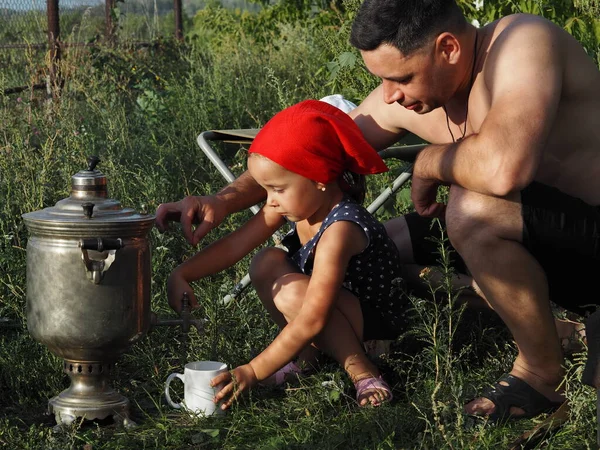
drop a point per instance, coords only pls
(198, 394)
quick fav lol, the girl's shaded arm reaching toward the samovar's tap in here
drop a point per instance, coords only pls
(221, 255)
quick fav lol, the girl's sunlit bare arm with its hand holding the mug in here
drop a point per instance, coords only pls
(337, 245)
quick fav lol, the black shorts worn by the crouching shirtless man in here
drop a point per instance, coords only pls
(560, 231)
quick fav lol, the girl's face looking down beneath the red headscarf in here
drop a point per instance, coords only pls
(289, 194)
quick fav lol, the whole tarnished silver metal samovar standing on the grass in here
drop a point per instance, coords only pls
(88, 291)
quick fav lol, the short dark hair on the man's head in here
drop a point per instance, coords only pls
(408, 25)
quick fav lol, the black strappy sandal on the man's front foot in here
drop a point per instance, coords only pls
(519, 394)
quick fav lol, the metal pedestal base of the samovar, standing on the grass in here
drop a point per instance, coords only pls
(89, 397)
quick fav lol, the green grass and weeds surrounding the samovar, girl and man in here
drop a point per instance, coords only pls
(140, 110)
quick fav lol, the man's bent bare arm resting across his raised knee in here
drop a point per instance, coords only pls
(523, 77)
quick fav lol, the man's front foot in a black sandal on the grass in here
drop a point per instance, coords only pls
(513, 398)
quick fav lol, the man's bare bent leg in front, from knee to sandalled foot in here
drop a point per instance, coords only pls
(487, 232)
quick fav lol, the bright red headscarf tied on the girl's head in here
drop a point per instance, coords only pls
(318, 141)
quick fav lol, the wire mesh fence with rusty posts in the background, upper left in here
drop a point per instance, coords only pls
(29, 29)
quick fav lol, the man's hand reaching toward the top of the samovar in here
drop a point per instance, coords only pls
(207, 211)
